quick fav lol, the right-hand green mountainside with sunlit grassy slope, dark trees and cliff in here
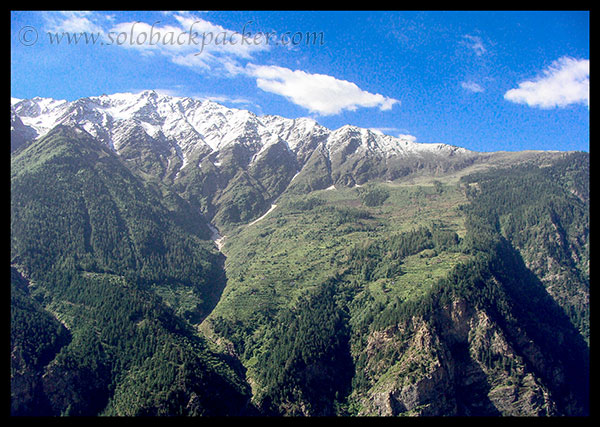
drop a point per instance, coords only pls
(440, 304)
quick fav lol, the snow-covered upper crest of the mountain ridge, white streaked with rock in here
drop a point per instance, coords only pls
(188, 126)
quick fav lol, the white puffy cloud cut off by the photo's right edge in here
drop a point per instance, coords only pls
(566, 81)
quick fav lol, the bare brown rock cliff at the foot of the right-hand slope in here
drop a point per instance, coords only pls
(459, 362)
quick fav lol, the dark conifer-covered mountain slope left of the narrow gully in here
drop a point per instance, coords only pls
(100, 250)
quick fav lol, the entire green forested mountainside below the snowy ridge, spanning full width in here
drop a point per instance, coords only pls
(463, 294)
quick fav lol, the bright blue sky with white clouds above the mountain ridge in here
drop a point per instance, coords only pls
(486, 81)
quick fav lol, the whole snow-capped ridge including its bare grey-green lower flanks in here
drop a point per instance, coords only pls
(230, 163)
